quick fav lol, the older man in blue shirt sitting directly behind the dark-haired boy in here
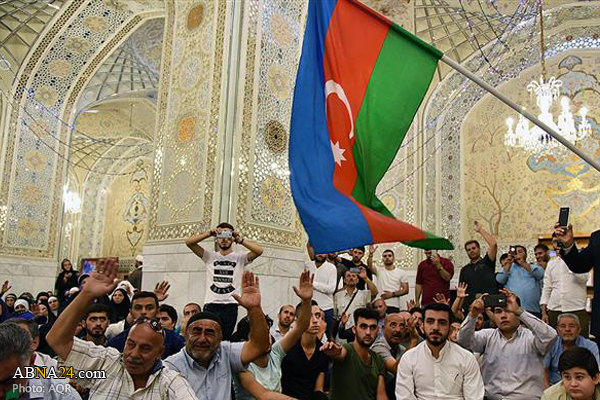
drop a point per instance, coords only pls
(569, 328)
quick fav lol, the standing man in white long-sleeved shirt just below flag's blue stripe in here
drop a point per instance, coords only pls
(324, 286)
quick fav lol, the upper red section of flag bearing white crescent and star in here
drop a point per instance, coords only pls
(352, 45)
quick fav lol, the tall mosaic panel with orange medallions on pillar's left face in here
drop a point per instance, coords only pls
(188, 124)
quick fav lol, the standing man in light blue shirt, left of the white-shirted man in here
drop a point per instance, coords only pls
(524, 280)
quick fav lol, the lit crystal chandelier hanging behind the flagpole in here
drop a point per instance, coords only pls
(533, 139)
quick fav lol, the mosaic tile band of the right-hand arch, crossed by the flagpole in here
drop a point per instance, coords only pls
(455, 96)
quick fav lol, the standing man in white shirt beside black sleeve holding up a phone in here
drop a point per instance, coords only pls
(564, 291)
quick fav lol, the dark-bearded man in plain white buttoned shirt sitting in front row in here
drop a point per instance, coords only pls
(438, 368)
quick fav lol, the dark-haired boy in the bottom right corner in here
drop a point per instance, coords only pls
(580, 377)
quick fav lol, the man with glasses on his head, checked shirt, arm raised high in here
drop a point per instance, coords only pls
(138, 370)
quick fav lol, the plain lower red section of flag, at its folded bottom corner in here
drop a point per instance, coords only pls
(385, 229)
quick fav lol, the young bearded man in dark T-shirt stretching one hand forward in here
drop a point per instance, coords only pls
(358, 372)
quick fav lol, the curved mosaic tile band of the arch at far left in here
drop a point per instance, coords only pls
(40, 94)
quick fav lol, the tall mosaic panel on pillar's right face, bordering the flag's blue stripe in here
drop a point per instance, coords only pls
(264, 207)
